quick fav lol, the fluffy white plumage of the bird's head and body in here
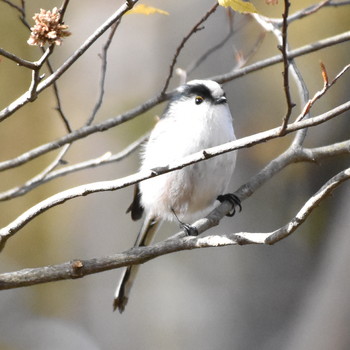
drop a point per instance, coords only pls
(187, 128)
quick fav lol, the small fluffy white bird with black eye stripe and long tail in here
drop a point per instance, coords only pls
(197, 117)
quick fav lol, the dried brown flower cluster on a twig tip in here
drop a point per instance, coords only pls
(47, 28)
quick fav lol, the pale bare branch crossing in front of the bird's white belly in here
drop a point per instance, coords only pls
(113, 185)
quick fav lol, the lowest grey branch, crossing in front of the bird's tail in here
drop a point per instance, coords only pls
(80, 268)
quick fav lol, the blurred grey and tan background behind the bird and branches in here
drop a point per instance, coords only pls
(294, 295)
